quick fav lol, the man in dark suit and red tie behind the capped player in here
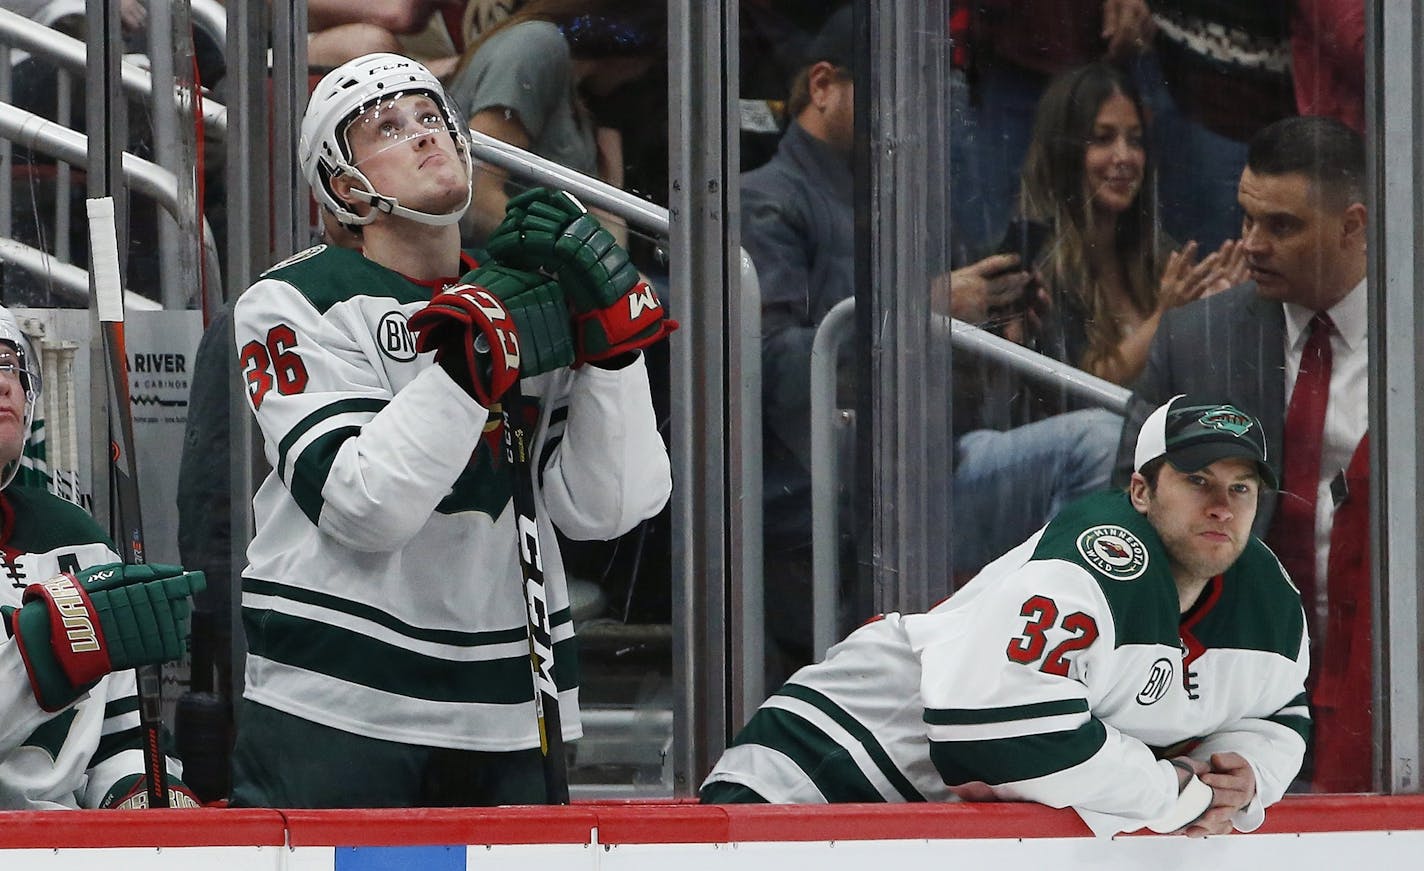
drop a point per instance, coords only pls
(1291, 347)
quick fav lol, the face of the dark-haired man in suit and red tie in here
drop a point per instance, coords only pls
(1297, 240)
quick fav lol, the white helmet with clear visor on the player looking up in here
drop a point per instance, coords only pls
(340, 99)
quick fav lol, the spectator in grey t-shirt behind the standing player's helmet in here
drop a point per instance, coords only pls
(528, 82)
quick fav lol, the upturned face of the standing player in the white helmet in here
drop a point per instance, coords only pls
(405, 150)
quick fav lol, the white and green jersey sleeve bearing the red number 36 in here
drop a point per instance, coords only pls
(367, 465)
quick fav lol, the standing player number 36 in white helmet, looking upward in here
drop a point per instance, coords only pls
(384, 603)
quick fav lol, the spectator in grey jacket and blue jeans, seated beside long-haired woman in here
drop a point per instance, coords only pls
(798, 227)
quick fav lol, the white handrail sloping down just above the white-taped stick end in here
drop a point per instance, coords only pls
(145, 177)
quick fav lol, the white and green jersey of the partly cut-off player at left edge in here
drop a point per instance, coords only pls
(76, 756)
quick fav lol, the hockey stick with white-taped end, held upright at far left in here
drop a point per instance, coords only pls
(109, 297)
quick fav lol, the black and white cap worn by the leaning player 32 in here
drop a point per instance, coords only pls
(1194, 432)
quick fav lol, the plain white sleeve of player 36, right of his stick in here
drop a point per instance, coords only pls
(610, 470)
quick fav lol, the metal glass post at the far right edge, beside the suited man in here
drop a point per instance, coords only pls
(1395, 117)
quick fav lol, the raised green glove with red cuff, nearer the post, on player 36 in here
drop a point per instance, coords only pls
(613, 311)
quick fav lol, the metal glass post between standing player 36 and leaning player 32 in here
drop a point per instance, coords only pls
(706, 263)
